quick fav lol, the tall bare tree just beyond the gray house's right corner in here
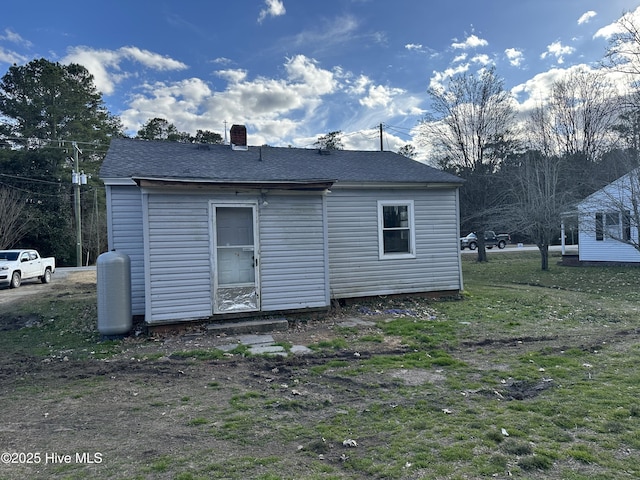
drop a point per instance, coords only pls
(469, 126)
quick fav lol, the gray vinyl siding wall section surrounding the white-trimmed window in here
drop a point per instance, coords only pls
(355, 267)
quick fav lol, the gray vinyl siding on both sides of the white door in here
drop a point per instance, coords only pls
(292, 252)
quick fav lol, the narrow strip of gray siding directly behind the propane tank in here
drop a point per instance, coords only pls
(124, 212)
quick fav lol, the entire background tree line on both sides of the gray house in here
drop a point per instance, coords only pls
(523, 172)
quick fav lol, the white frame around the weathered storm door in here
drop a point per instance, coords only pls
(213, 204)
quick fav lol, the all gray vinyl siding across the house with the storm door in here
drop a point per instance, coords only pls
(307, 242)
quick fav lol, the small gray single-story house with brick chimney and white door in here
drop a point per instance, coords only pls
(213, 230)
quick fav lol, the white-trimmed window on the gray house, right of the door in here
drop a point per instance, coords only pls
(396, 231)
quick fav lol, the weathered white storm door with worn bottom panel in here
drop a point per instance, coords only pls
(236, 261)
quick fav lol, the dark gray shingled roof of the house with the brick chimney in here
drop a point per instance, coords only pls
(142, 159)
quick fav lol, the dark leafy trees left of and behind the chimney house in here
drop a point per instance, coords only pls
(47, 110)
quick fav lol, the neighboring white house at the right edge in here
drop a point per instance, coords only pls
(608, 222)
